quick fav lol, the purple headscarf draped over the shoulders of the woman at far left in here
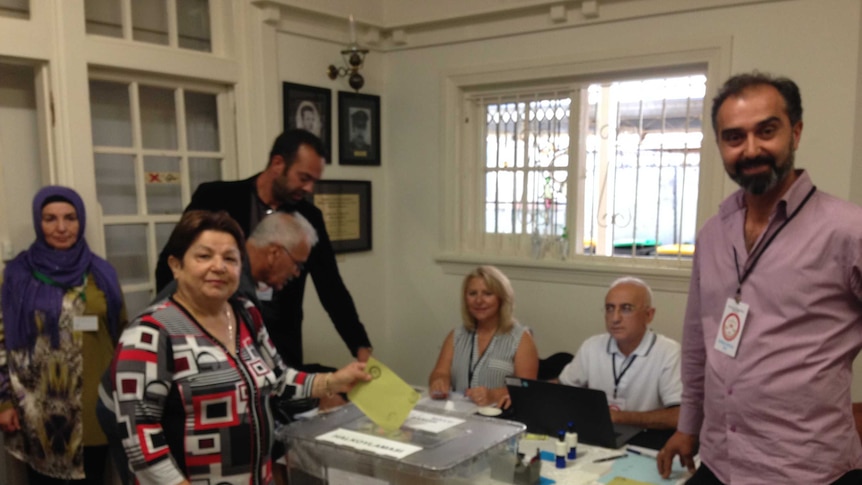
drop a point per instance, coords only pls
(24, 293)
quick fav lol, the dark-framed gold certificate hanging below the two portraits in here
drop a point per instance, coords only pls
(346, 207)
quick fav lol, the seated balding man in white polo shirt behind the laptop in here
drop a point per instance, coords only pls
(637, 368)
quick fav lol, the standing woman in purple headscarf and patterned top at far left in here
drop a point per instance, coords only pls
(62, 315)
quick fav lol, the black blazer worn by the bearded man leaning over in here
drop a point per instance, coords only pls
(283, 314)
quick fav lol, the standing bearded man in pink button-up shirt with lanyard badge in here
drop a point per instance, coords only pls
(774, 316)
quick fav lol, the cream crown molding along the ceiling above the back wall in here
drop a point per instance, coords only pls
(408, 24)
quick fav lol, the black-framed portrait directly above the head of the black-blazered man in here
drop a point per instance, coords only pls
(309, 108)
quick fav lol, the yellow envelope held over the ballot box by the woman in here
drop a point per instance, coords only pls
(386, 399)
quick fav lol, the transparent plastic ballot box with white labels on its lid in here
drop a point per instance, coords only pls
(432, 447)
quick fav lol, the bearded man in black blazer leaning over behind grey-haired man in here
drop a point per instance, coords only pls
(295, 163)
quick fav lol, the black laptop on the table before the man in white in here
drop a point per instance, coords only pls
(546, 408)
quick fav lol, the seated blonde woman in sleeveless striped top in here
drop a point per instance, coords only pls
(477, 356)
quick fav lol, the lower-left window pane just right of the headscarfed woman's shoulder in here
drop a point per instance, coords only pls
(126, 247)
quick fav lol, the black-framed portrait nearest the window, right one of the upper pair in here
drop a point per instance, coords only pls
(358, 129)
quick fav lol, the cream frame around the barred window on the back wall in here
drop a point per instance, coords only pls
(462, 210)
